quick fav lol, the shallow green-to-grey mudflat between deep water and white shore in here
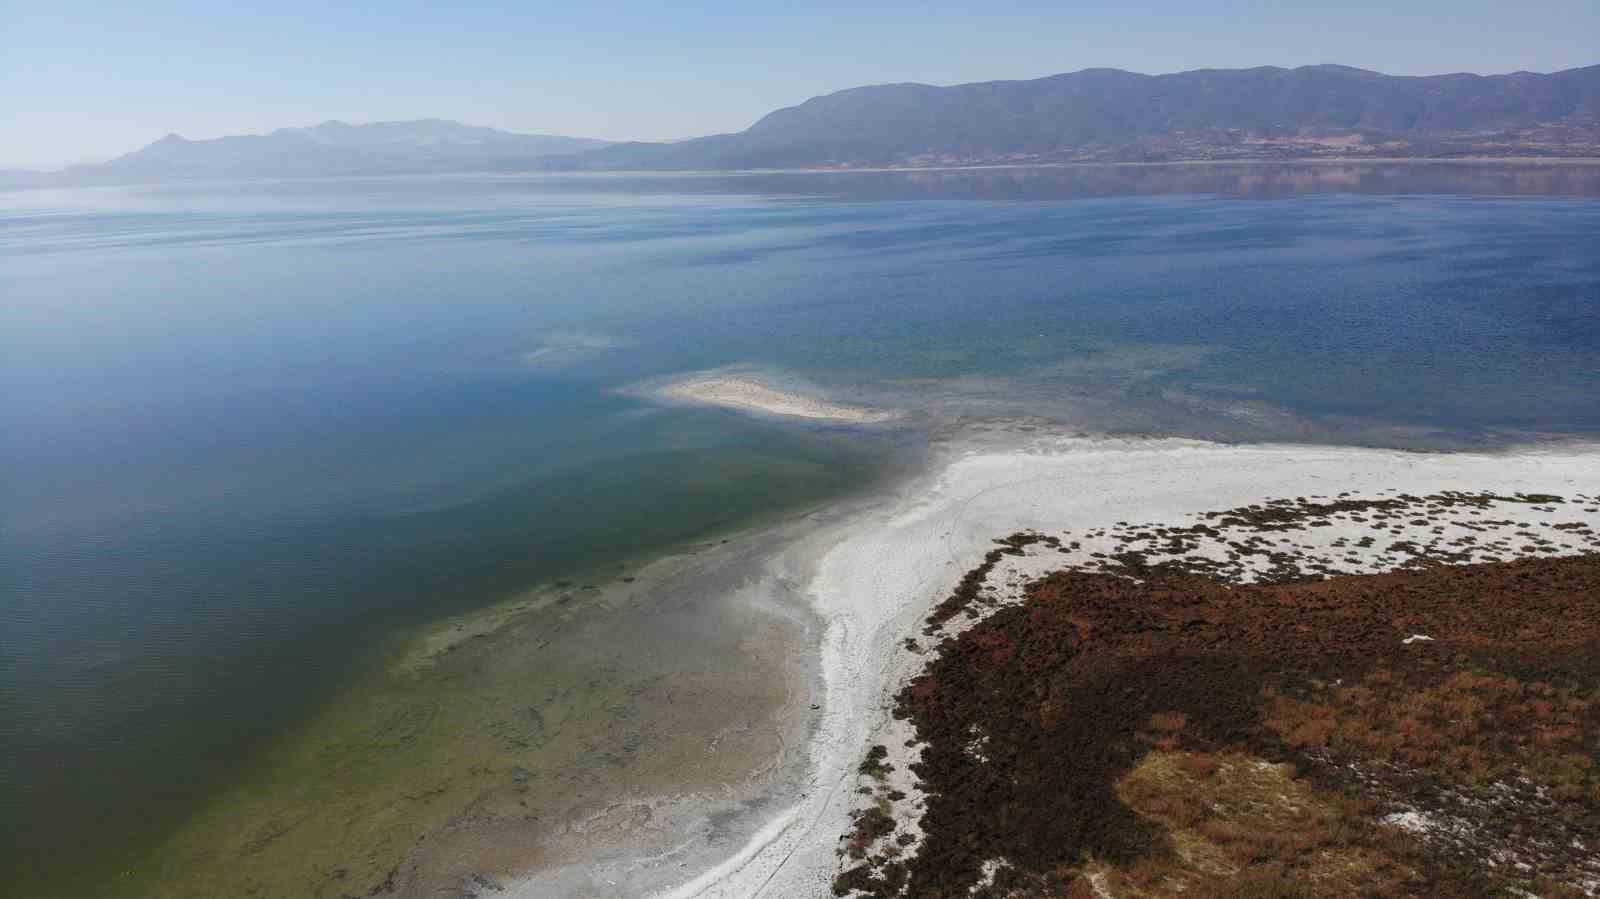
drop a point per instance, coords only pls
(545, 738)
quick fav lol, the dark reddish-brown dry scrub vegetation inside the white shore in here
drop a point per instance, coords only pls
(1156, 732)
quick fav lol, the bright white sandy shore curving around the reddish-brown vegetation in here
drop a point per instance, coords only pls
(876, 578)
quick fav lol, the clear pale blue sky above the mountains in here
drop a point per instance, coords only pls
(90, 81)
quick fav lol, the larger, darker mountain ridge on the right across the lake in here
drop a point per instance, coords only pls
(1106, 114)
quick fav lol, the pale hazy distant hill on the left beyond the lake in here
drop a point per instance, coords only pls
(335, 148)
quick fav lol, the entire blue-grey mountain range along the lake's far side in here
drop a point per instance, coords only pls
(1089, 116)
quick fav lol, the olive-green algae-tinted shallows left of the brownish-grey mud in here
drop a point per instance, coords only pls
(335, 809)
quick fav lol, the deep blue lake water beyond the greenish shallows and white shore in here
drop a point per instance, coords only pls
(246, 430)
